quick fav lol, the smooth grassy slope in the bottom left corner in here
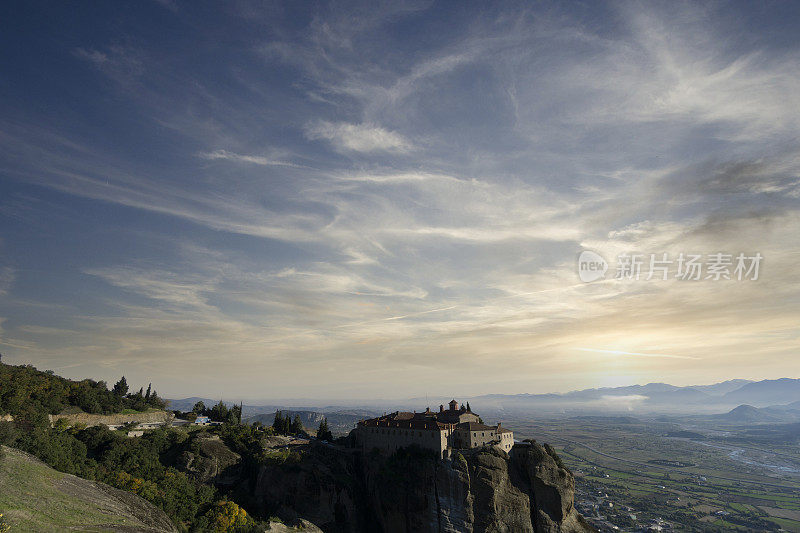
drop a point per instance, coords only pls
(34, 497)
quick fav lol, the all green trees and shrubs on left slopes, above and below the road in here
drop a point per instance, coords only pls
(145, 466)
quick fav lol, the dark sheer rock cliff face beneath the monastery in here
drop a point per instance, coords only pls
(486, 490)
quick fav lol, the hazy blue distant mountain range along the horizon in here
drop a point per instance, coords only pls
(653, 398)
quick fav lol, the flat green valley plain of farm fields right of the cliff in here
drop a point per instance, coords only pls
(634, 473)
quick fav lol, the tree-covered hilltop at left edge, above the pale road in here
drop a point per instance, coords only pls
(25, 390)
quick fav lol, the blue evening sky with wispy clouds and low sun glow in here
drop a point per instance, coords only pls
(342, 200)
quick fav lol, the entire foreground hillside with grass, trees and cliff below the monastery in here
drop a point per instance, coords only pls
(236, 477)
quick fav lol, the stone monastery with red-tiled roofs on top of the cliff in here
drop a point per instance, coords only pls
(442, 431)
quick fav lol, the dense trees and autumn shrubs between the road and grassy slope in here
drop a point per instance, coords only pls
(145, 466)
